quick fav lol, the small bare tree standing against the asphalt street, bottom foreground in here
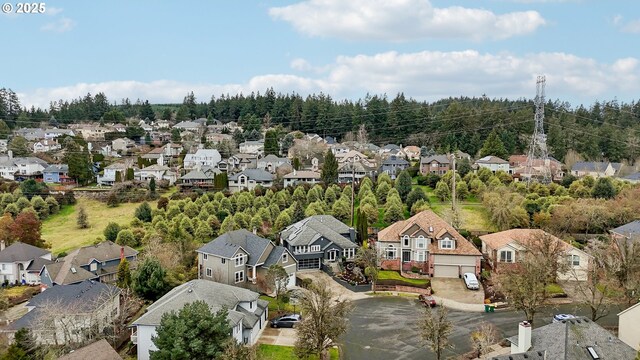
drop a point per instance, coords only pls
(435, 329)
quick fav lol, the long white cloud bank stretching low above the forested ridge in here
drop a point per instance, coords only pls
(427, 75)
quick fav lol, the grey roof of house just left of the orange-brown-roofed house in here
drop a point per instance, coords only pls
(307, 231)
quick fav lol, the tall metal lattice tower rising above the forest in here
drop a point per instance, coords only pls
(538, 156)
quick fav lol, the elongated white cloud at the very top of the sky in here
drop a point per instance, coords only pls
(402, 20)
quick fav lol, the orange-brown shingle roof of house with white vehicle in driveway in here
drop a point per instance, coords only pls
(425, 220)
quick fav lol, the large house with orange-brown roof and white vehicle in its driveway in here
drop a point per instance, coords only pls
(425, 241)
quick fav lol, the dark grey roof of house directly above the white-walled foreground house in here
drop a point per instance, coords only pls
(228, 244)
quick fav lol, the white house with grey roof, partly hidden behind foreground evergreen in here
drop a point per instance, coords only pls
(247, 313)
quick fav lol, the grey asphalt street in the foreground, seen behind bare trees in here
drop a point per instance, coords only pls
(386, 328)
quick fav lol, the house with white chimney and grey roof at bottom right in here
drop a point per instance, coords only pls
(572, 339)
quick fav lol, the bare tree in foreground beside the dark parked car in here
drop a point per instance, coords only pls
(325, 320)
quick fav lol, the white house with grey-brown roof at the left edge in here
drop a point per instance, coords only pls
(21, 263)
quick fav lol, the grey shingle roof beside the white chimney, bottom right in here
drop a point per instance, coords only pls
(569, 339)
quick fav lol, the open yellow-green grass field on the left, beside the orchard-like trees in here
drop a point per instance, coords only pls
(61, 230)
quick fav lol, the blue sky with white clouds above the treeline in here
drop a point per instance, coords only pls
(589, 50)
